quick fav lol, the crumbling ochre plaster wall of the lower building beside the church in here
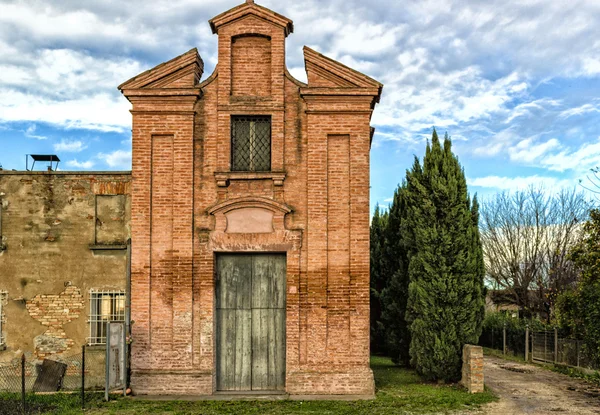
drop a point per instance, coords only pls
(49, 222)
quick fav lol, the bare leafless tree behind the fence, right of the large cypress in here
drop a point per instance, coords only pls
(526, 236)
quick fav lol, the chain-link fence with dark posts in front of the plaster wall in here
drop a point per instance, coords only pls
(83, 371)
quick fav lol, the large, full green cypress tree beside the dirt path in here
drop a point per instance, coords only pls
(445, 293)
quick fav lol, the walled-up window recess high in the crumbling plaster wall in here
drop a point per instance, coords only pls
(110, 219)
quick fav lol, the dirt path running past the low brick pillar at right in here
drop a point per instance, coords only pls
(528, 389)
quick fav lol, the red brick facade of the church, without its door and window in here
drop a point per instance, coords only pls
(318, 192)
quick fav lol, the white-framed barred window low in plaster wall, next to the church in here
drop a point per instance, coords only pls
(105, 306)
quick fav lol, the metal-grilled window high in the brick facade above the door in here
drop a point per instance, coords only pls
(250, 143)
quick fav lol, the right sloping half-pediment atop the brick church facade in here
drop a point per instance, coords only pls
(326, 72)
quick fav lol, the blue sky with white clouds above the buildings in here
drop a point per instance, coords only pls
(516, 83)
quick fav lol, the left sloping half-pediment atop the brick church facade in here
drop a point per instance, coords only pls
(184, 71)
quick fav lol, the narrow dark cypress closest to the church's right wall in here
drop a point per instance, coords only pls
(378, 279)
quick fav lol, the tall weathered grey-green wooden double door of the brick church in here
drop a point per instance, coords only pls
(250, 300)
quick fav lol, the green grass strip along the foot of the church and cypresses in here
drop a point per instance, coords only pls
(399, 391)
